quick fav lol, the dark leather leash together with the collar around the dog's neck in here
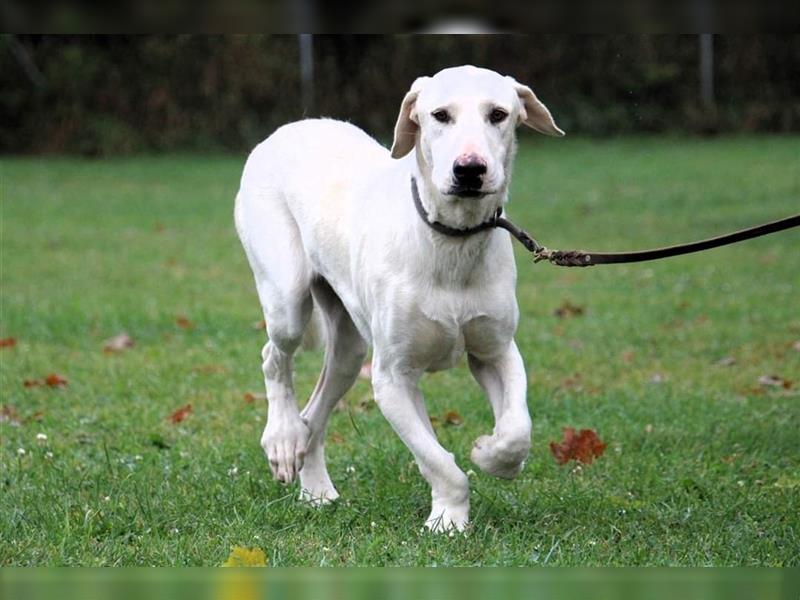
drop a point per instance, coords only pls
(580, 258)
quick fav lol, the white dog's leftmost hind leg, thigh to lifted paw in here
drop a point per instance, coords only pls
(274, 248)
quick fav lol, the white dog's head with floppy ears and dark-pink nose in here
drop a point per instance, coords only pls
(463, 123)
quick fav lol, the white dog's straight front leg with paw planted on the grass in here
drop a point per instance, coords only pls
(400, 401)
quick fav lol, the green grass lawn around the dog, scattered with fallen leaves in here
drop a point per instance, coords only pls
(702, 468)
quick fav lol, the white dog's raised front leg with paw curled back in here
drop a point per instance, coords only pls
(503, 453)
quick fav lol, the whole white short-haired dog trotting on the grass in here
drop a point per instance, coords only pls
(327, 217)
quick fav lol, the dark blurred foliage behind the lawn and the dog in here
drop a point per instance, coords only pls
(107, 95)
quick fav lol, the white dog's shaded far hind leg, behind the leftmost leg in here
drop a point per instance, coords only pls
(344, 353)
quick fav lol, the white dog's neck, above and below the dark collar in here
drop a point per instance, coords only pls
(451, 261)
